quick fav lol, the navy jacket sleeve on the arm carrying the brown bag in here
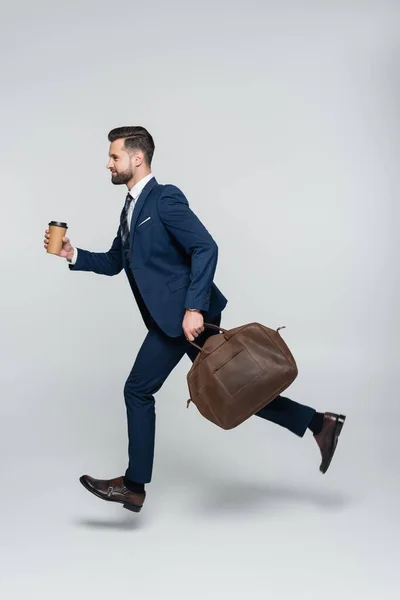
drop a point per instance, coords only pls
(196, 241)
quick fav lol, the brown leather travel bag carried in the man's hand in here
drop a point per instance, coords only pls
(238, 372)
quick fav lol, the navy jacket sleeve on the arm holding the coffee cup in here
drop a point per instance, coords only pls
(103, 263)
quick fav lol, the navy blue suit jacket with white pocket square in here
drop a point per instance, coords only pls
(172, 258)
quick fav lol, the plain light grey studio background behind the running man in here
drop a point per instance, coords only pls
(279, 121)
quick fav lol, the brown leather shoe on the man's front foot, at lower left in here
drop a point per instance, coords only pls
(114, 490)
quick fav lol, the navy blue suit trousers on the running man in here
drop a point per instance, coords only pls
(157, 357)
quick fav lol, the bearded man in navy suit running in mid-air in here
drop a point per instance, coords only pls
(170, 259)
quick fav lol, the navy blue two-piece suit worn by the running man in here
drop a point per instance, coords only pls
(172, 263)
